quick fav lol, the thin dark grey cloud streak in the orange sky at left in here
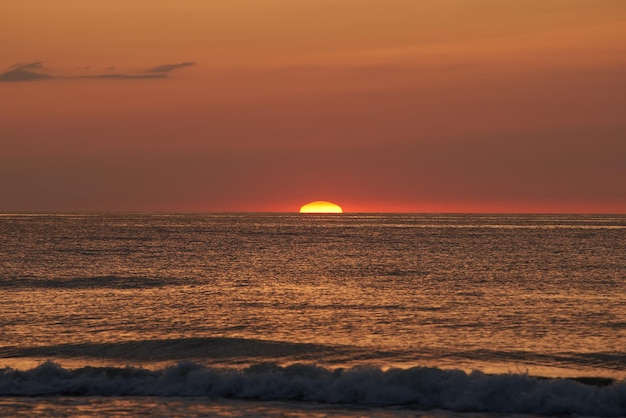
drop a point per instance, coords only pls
(27, 72)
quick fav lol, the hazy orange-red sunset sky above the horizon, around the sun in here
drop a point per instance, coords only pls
(256, 106)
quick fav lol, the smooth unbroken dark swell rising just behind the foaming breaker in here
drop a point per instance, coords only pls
(237, 350)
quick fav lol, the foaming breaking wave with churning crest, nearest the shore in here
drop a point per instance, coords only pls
(419, 387)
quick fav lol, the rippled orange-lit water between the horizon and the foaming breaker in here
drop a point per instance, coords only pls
(539, 295)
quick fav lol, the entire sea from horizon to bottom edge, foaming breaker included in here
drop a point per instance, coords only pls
(312, 315)
